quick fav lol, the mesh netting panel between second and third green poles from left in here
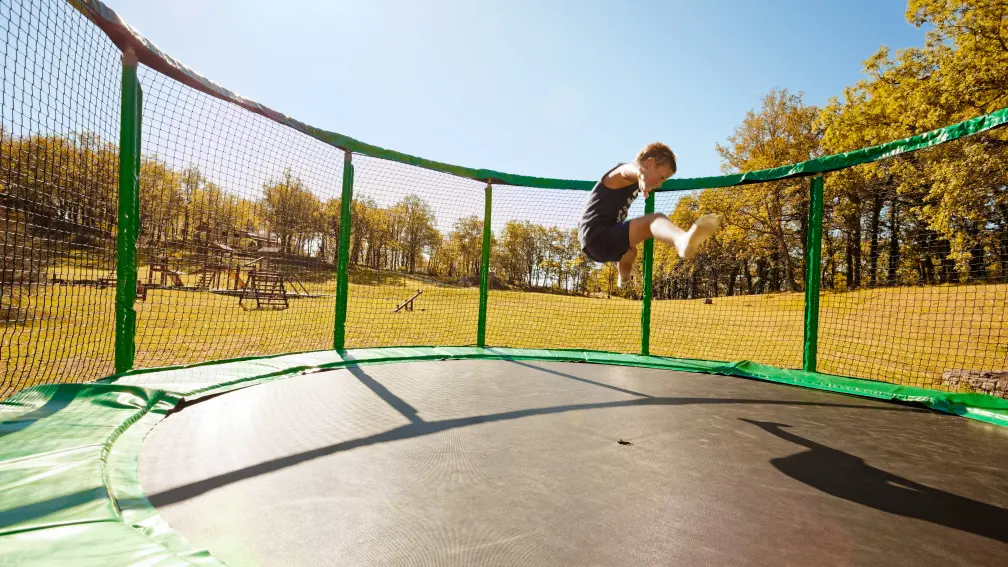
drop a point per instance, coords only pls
(416, 243)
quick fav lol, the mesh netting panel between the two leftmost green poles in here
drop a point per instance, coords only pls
(239, 232)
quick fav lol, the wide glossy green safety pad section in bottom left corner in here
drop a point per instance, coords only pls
(56, 507)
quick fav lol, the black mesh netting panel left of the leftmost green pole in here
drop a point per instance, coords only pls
(59, 176)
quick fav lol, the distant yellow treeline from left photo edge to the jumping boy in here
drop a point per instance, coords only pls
(60, 193)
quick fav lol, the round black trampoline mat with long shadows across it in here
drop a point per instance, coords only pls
(521, 464)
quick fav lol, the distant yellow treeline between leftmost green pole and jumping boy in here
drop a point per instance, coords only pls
(186, 209)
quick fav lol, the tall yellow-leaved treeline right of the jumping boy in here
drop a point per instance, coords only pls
(934, 217)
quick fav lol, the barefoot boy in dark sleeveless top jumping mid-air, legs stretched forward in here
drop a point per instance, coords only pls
(604, 233)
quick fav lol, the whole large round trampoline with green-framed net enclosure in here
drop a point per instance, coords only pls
(521, 415)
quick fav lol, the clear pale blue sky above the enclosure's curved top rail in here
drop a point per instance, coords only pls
(552, 89)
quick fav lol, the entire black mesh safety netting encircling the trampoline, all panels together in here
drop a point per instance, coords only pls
(240, 225)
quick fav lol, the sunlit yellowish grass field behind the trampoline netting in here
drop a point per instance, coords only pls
(908, 335)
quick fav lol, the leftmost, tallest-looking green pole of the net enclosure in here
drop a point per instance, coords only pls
(129, 215)
